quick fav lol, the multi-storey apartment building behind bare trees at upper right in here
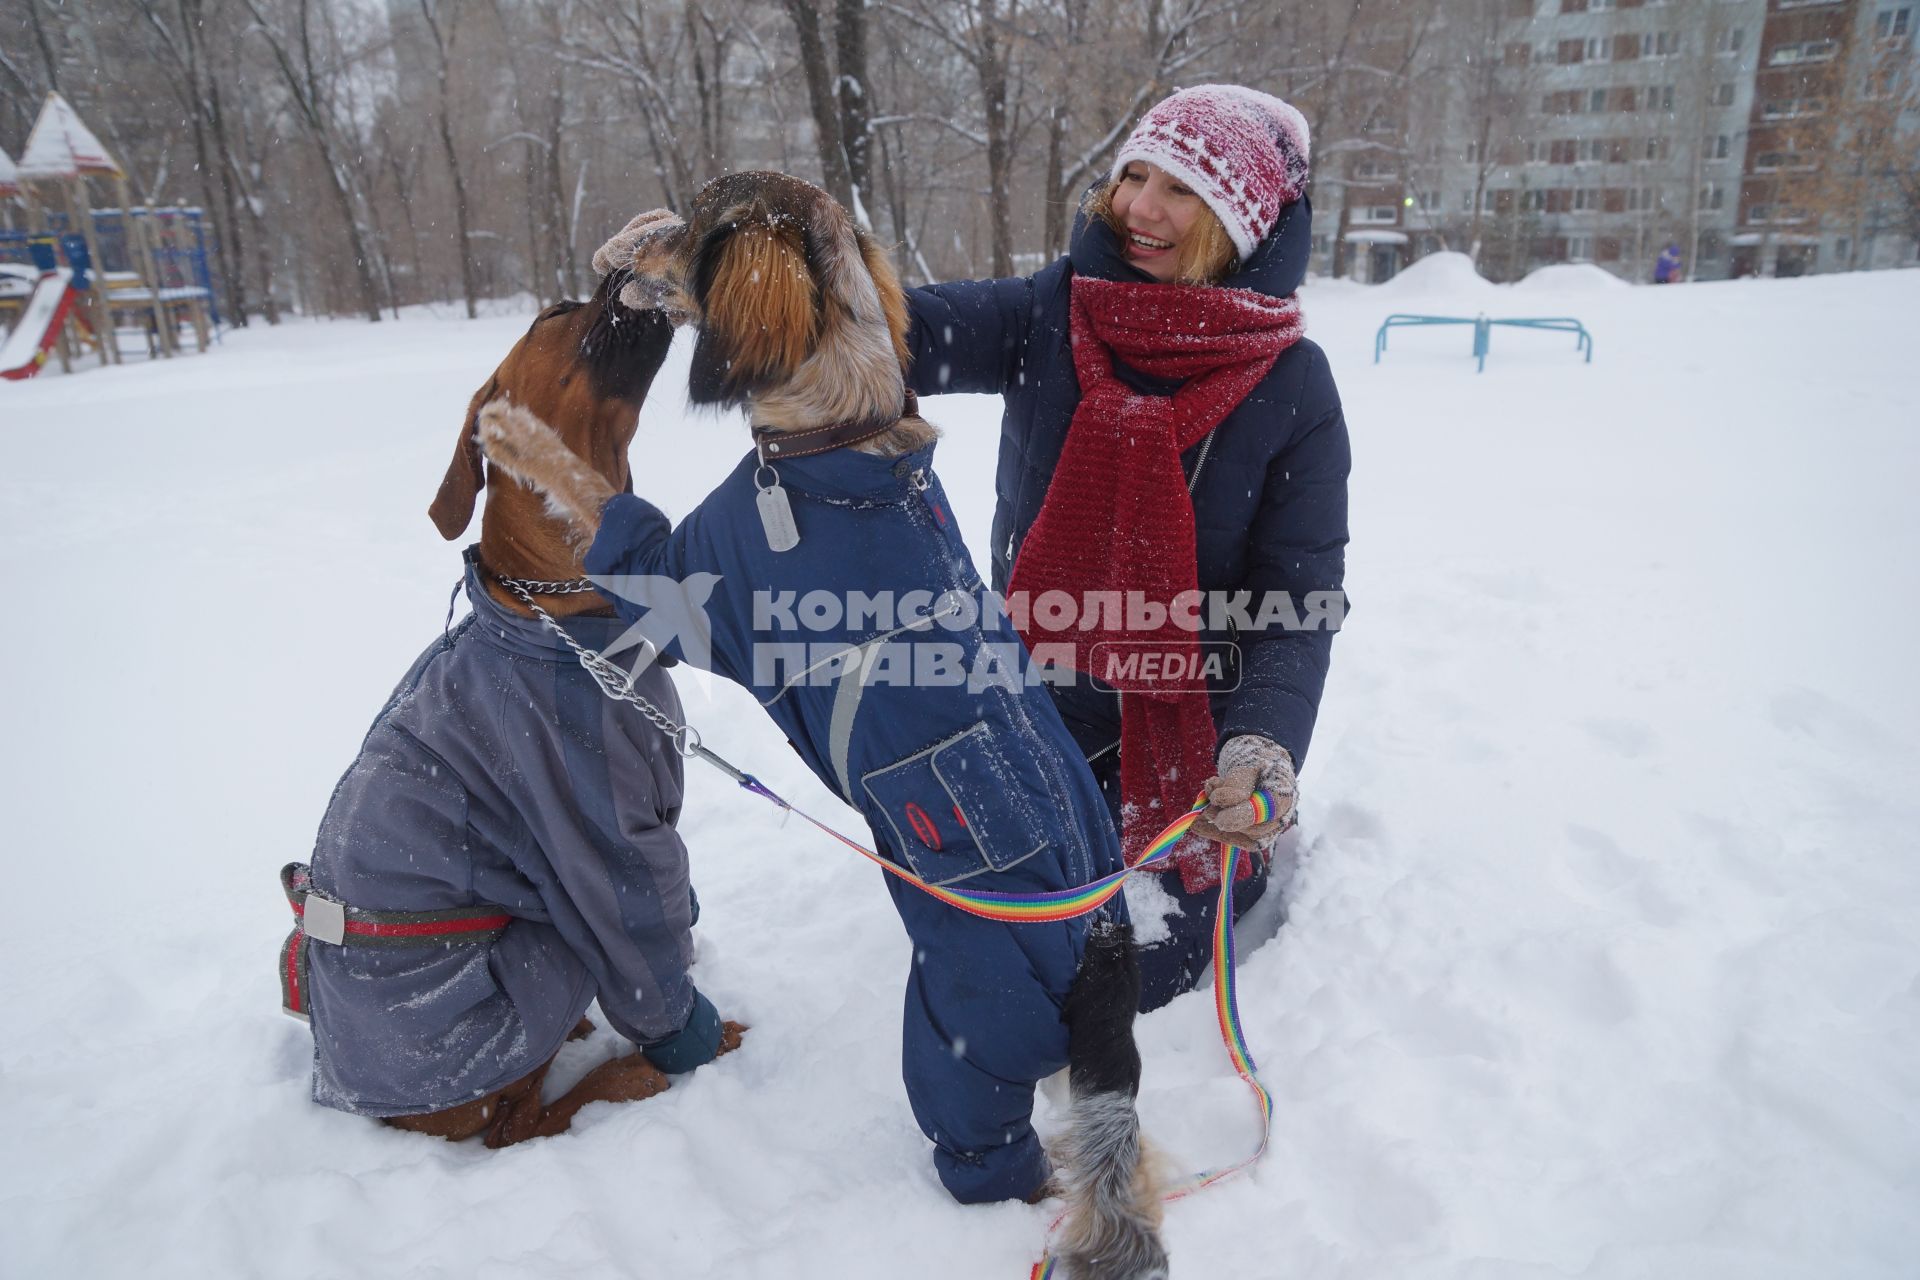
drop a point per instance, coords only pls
(1543, 131)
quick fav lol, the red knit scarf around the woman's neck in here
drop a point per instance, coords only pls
(1118, 517)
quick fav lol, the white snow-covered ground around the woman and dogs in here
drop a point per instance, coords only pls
(1604, 957)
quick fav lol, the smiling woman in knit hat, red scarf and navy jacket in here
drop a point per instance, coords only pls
(1168, 433)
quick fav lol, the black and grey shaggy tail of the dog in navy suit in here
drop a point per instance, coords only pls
(1111, 1181)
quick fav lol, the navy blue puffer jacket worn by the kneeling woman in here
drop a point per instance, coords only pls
(1270, 500)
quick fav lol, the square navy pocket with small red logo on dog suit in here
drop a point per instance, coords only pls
(951, 809)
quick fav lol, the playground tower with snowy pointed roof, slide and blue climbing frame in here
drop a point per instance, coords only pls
(128, 270)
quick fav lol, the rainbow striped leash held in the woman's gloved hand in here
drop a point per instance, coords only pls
(1067, 905)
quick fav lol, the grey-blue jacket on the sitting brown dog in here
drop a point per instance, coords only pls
(498, 774)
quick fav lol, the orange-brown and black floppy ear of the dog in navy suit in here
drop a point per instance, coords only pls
(759, 306)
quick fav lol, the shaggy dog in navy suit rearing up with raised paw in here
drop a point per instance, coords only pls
(971, 780)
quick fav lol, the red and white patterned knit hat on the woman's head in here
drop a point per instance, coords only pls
(1243, 153)
